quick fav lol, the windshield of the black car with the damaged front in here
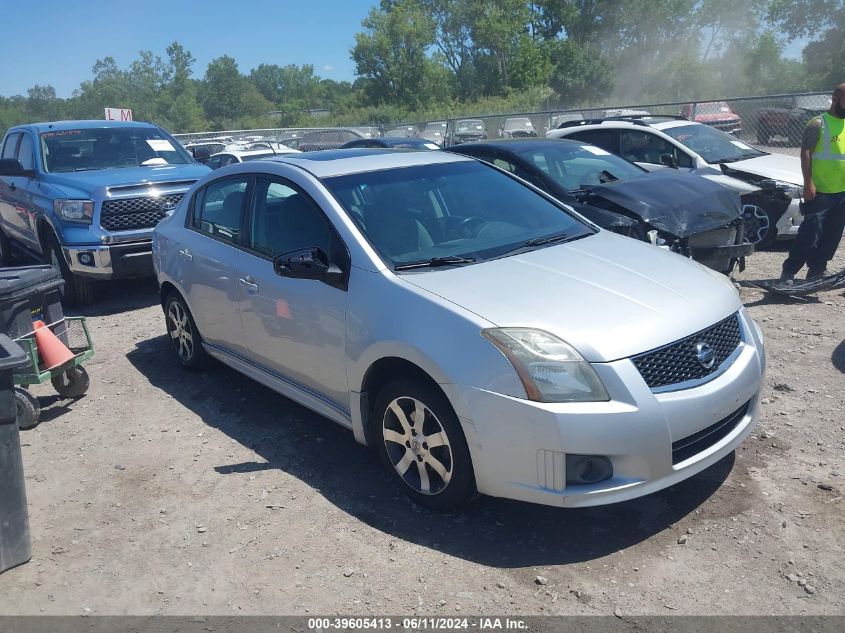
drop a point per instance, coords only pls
(573, 166)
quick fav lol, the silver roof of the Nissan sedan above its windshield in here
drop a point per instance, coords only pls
(339, 162)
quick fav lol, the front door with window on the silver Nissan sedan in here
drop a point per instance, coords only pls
(294, 327)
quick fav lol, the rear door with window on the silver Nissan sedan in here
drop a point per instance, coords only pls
(209, 253)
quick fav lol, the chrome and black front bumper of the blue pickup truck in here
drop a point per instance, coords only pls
(114, 261)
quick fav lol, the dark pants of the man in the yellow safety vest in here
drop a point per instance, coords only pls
(819, 233)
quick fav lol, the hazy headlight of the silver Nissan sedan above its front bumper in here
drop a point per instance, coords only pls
(550, 369)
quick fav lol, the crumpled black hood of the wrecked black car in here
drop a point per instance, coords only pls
(679, 204)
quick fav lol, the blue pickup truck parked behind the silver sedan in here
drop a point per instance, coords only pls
(85, 196)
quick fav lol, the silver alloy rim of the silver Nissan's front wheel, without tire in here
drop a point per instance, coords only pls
(417, 445)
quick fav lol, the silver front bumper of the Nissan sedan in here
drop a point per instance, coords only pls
(519, 448)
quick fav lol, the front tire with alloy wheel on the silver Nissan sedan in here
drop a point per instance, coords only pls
(420, 441)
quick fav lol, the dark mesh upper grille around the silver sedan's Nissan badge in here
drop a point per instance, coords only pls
(677, 362)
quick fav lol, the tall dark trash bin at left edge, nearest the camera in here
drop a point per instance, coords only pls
(15, 546)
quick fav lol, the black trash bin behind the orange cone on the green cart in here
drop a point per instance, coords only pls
(27, 292)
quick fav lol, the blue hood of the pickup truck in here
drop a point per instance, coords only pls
(89, 181)
